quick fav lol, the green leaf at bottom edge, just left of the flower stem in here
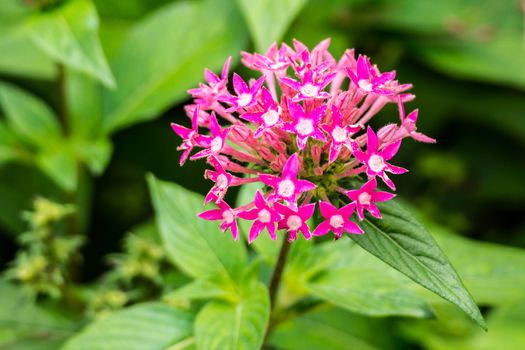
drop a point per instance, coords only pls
(241, 326)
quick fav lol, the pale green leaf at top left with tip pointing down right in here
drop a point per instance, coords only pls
(69, 35)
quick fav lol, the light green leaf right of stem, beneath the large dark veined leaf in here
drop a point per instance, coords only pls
(367, 292)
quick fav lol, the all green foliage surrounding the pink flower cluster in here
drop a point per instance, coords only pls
(87, 91)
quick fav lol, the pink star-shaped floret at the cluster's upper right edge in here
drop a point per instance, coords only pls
(368, 79)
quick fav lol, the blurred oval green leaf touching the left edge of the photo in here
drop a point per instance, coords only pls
(29, 117)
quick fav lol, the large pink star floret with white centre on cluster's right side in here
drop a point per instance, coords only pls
(375, 160)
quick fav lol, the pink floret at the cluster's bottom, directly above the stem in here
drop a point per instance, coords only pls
(295, 219)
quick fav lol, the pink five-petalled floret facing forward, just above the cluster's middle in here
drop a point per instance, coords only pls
(305, 125)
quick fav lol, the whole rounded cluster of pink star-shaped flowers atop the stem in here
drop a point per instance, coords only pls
(301, 130)
